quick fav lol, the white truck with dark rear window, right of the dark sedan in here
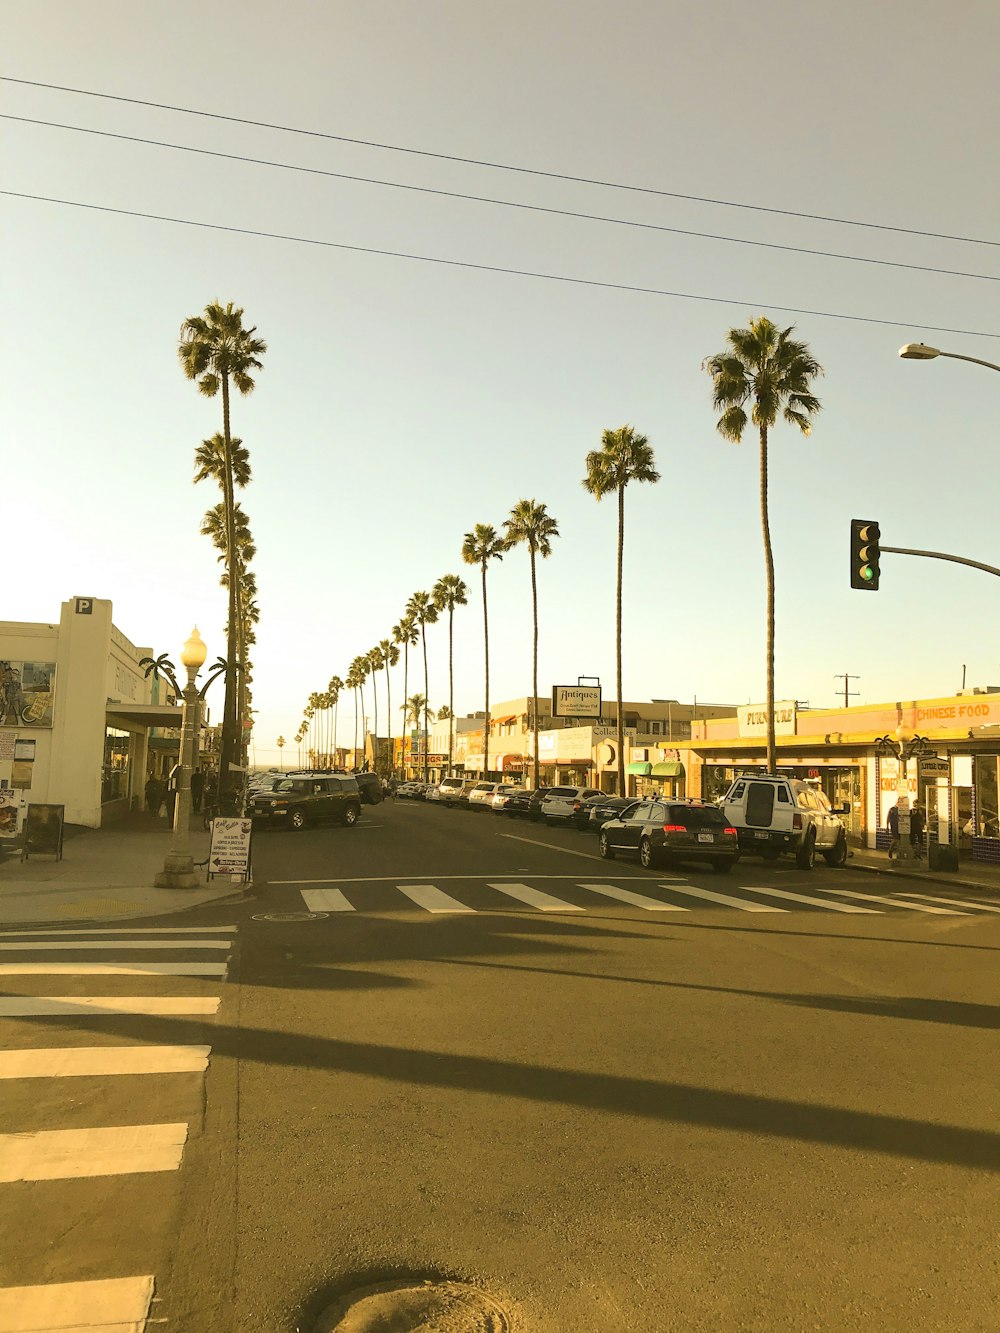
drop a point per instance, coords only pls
(773, 814)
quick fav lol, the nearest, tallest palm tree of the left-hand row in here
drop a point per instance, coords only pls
(217, 350)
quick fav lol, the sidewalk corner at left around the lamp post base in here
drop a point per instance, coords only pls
(105, 875)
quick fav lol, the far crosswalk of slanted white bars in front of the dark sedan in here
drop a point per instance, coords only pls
(479, 895)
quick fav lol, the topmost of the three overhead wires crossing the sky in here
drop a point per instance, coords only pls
(493, 166)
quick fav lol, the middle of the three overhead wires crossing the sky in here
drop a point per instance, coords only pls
(502, 203)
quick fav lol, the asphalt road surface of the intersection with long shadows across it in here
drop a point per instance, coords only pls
(650, 1114)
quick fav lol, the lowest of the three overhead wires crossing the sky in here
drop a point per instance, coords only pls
(491, 269)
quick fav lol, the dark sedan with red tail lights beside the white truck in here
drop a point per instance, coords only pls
(681, 830)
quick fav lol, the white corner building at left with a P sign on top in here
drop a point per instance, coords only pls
(77, 712)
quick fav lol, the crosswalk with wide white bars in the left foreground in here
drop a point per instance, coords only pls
(54, 1024)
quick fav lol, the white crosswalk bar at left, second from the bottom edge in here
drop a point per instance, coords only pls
(70, 1154)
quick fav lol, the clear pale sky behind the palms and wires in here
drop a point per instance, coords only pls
(405, 402)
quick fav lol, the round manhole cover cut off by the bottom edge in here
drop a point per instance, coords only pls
(431, 1307)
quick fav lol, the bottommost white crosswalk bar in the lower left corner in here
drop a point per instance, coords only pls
(111, 1306)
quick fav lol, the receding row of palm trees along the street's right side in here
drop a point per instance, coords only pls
(762, 374)
